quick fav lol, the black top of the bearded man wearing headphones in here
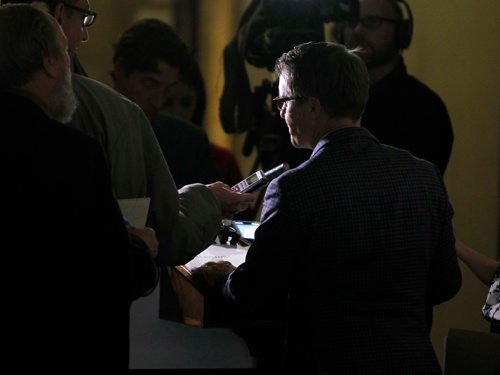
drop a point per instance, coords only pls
(405, 113)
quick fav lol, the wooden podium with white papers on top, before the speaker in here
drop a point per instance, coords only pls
(193, 297)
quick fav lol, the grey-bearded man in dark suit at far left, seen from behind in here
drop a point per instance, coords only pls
(72, 270)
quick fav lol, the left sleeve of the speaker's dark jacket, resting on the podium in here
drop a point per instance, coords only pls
(259, 286)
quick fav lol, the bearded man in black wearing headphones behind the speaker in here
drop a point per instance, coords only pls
(401, 111)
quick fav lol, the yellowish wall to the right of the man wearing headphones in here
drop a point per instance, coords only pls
(456, 51)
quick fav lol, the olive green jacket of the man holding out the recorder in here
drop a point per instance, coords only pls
(187, 220)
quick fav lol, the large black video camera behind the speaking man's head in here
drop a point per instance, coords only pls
(267, 29)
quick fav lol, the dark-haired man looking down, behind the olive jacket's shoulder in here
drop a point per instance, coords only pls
(149, 60)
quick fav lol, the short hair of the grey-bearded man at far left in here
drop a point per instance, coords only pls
(27, 35)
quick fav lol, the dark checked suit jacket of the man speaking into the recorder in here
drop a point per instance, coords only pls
(353, 244)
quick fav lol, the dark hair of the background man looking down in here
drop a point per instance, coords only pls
(148, 41)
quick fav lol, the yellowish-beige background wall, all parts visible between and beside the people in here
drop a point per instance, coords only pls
(455, 51)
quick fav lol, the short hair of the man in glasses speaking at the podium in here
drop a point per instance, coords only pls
(330, 72)
